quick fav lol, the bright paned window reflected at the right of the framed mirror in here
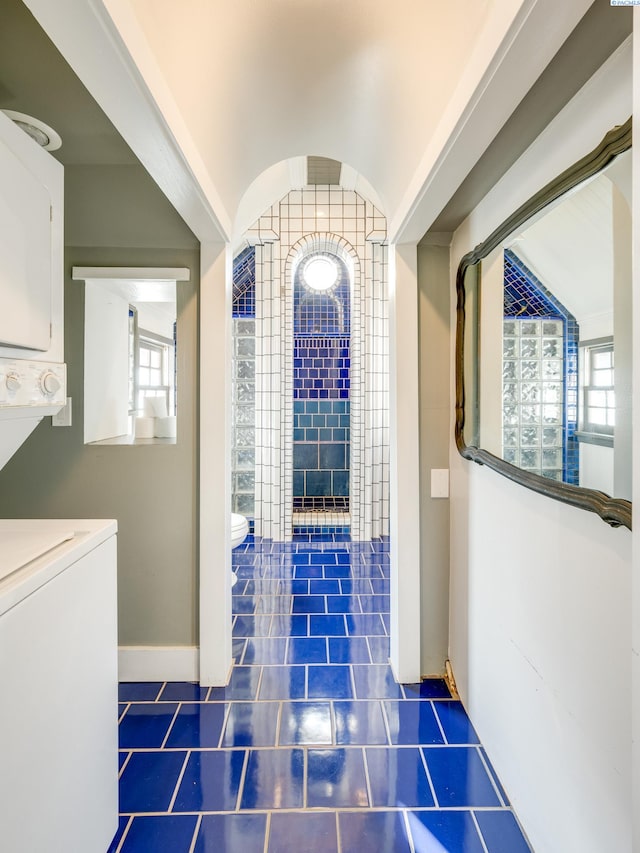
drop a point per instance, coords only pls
(598, 410)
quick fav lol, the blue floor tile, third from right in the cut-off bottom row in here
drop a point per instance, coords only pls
(383, 832)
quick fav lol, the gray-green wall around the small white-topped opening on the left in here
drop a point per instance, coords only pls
(116, 216)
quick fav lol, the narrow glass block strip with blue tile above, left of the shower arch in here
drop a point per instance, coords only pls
(243, 385)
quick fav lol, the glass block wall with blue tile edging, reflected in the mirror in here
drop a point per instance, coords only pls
(540, 377)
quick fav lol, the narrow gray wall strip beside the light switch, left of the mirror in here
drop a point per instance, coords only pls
(435, 427)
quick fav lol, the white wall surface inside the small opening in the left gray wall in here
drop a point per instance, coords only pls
(106, 367)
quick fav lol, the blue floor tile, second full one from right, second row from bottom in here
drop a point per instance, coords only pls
(398, 777)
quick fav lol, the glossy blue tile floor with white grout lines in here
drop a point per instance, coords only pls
(312, 746)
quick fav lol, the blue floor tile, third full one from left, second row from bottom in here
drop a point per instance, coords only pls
(274, 779)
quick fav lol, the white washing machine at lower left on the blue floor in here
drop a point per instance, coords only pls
(58, 670)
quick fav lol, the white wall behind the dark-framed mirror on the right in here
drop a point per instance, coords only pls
(540, 615)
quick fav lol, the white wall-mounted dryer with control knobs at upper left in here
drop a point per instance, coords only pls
(32, 372)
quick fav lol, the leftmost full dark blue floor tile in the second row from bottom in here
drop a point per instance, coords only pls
(149, 780)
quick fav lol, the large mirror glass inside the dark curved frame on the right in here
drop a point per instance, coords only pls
(547, 339)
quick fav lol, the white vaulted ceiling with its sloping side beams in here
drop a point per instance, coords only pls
(212, 94)
